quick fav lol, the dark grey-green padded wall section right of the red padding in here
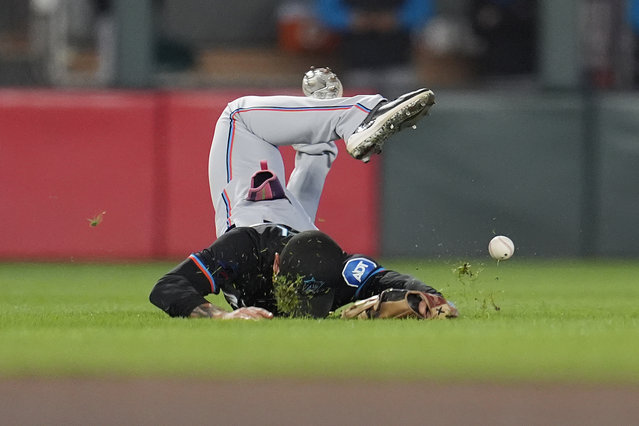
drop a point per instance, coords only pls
(559, 173)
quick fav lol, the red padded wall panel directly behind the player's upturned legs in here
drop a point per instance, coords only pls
(348, 209)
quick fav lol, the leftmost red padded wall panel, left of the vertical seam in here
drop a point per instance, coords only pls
(65, 157)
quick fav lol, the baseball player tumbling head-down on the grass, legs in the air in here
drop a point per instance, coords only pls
(265, 229)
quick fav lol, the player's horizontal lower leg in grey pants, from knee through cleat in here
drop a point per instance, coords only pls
(365, 122)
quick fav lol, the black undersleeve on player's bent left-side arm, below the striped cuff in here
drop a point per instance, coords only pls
(181, 290)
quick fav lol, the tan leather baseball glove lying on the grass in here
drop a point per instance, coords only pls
(394, 303)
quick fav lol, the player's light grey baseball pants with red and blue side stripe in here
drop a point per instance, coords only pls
(252, 128)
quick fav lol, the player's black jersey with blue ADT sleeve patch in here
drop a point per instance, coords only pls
(240, 265)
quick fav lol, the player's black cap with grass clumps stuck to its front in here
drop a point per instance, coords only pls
(310, 264)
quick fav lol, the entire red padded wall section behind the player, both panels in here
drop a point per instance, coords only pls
(66, 156)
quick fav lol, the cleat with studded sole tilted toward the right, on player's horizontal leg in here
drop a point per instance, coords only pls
(386, 119)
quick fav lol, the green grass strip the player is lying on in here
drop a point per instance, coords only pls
(533, 321)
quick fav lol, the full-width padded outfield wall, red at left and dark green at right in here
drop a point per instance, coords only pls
(560, 178)
